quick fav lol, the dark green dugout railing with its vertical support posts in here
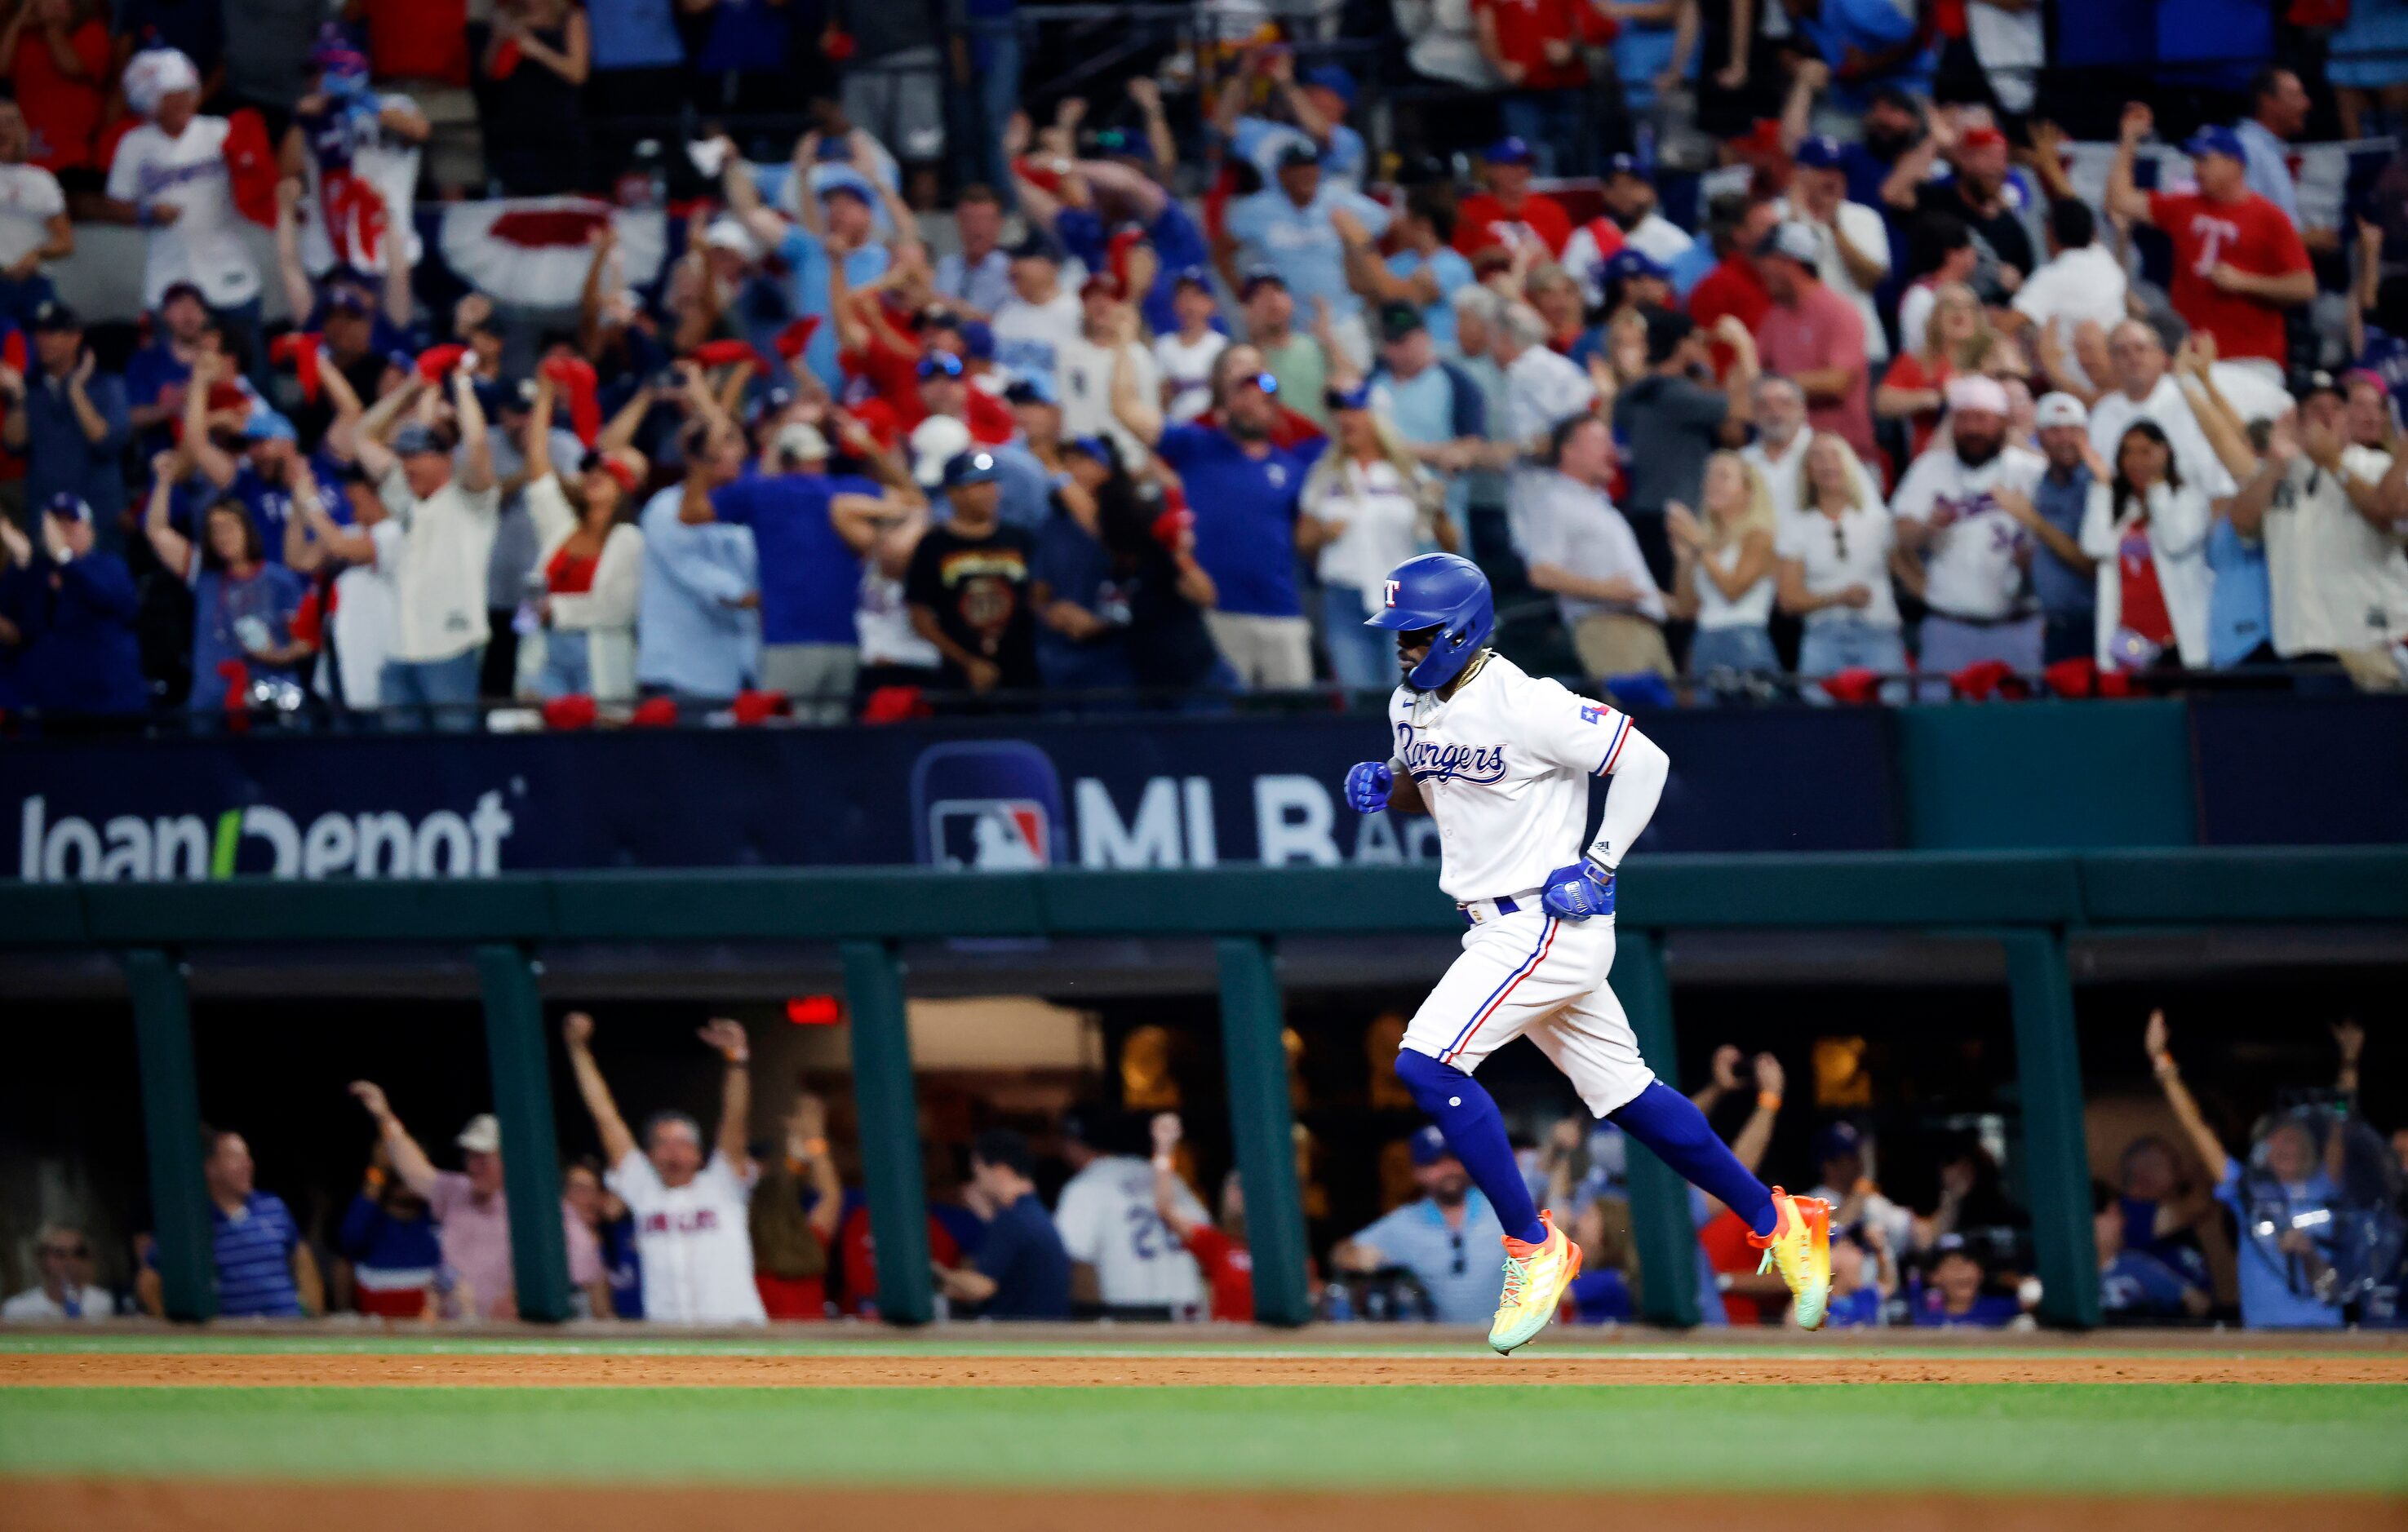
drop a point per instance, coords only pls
(2026, 902)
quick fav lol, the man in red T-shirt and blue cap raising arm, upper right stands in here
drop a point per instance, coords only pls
(2238, 261)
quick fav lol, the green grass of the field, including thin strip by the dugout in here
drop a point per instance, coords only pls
(2019, 1437)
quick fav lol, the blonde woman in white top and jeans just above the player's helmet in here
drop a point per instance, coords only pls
(1367, 509)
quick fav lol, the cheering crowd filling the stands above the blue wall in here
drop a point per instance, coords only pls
(1884, 403)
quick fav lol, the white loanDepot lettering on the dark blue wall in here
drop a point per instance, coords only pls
(261, 839)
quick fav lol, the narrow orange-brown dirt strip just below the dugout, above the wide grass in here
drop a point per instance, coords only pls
(502, 1369)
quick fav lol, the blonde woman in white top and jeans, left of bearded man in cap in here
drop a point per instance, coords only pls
(1836, 570)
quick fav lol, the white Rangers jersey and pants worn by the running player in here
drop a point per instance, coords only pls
(1506, 767)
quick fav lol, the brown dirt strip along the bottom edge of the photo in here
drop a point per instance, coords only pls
(206, 1507)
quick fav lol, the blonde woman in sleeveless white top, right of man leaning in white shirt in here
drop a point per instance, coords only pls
(1723, 572)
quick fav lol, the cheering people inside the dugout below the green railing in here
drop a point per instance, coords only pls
(714, 1227)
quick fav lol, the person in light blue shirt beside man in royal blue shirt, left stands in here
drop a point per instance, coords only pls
(700, 608)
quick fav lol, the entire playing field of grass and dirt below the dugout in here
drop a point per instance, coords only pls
(283, 1430)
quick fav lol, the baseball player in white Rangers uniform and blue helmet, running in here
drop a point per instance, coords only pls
(1504, 762)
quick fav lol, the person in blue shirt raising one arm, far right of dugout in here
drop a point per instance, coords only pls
(2282, 1198)
